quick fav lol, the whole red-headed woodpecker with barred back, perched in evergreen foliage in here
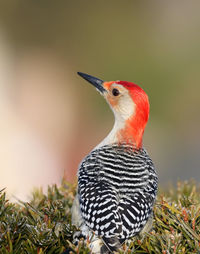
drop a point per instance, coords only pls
(117, 180)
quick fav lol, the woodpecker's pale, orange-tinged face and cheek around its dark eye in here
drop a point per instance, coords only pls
(120, 102)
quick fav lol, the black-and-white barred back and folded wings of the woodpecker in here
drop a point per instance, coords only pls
(117, 187)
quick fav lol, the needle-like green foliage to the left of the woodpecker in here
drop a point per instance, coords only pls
(41, 226)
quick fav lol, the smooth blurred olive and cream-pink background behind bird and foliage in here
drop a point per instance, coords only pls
(50, 118)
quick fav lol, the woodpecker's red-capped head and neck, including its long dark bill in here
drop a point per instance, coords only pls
(130, 105)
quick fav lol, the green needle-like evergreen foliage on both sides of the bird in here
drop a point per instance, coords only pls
(44, 224)
